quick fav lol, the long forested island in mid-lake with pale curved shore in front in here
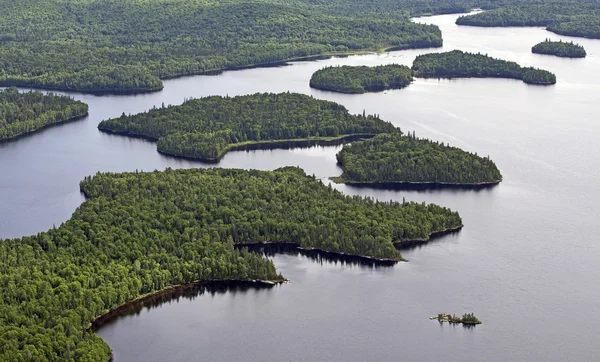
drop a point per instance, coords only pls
(207, 128)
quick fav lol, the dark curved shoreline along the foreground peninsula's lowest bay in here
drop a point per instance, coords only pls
(168, 292)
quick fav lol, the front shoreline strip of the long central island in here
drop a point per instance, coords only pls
(255, 145)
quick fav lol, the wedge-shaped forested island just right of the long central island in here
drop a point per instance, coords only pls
(394, 158)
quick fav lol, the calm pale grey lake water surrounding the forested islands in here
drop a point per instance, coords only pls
(526, 262)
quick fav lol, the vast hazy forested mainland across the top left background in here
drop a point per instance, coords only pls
(129, 46)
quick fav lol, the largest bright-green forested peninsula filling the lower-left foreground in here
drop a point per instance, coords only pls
(141, 233)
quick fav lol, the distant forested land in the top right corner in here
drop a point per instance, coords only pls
(569, 17)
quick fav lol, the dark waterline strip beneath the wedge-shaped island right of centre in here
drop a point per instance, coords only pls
(424, 185)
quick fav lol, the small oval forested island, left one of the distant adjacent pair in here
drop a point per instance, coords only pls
(361, 79)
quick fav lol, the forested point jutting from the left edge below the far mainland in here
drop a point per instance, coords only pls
(22, 113)
